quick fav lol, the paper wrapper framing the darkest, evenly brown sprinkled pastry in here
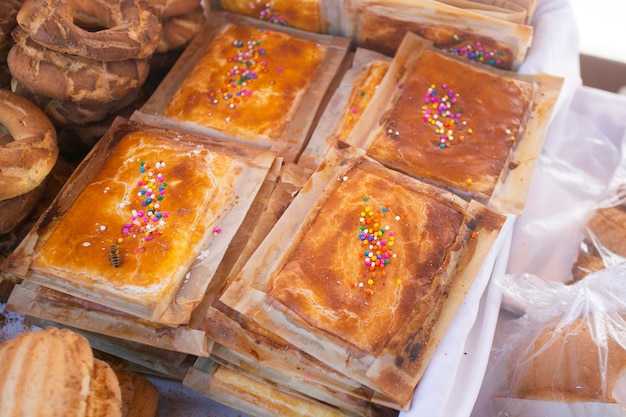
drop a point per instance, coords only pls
(509, 191)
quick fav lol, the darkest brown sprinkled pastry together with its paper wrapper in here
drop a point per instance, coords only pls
(437, 121)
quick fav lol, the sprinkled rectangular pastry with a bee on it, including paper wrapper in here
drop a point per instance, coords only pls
(144, 221)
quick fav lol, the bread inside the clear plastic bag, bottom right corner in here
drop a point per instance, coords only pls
(565, 365)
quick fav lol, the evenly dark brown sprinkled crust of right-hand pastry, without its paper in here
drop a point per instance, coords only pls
(465, 149)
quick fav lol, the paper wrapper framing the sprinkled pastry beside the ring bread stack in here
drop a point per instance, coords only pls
(299, 114)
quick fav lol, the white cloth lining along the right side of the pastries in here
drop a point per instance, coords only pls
(451, 384)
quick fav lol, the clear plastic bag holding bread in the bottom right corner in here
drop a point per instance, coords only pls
(566, 354)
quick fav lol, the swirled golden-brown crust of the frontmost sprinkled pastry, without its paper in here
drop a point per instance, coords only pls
(344, 295)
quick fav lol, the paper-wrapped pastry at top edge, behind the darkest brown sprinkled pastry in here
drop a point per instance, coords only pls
(381, 26)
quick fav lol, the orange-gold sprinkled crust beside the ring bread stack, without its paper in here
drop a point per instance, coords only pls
(256, 105)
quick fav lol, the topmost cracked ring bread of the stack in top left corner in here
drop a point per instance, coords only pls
(131, 28)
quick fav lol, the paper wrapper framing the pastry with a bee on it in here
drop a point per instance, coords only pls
(188, 286)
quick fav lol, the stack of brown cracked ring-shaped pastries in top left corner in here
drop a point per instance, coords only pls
(82, 61)
